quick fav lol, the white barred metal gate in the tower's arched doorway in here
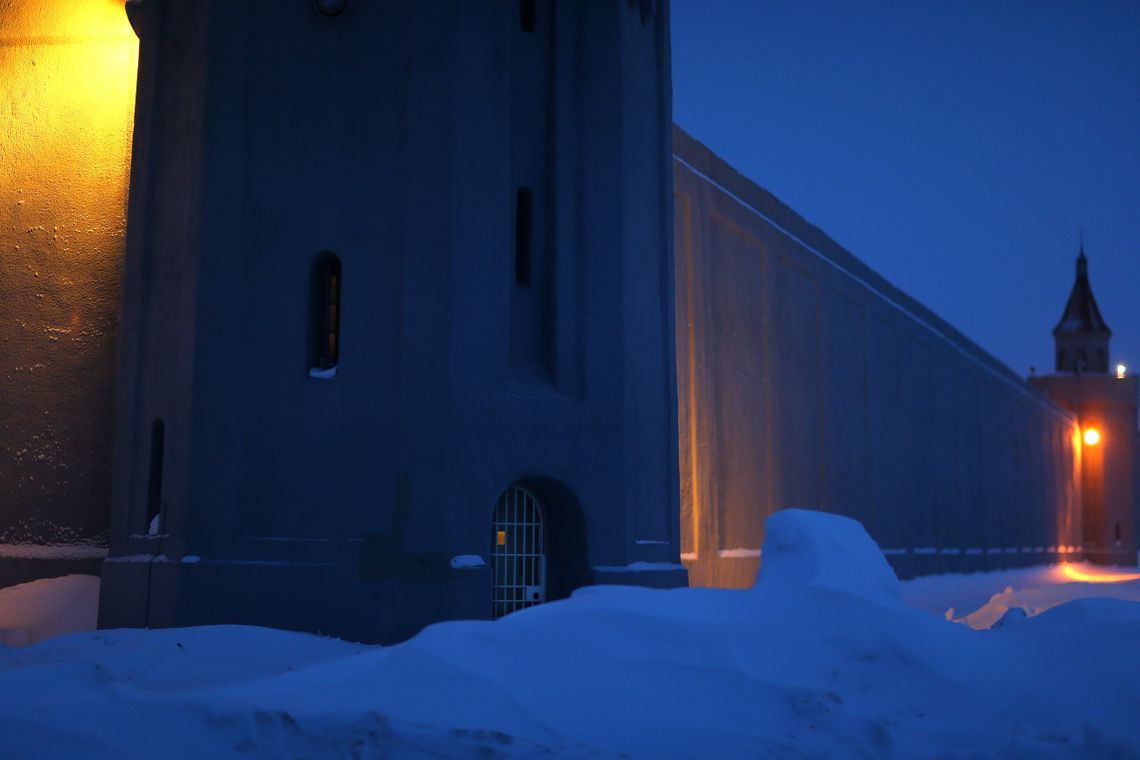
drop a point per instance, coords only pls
(518, 552)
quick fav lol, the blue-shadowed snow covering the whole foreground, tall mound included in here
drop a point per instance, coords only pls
(824, 658)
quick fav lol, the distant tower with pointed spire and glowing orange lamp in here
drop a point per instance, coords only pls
(1105, 404)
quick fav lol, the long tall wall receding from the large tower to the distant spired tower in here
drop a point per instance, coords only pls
(805, 380)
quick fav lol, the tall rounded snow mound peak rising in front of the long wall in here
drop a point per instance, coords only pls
(804, 547)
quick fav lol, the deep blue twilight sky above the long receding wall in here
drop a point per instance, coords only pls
(958, 148)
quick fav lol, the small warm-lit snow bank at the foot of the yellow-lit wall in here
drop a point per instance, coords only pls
(44, 609)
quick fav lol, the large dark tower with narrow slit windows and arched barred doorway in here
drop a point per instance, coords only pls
(397, 330)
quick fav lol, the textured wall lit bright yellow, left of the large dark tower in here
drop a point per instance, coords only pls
(67, 99)
